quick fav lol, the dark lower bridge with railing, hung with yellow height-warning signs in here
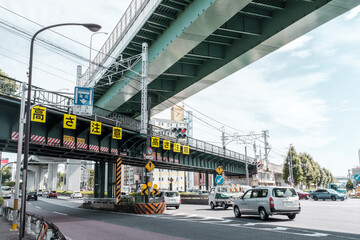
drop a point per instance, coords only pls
(51, 139)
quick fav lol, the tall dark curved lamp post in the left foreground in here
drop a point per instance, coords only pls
(92, 27)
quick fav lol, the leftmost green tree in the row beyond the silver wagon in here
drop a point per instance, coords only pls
(296, 163)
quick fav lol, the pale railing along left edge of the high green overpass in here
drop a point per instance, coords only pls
(123, 26)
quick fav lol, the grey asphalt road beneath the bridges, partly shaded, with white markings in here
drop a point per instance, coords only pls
(318, 220)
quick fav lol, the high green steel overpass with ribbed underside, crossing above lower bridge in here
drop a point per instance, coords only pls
(194, 44)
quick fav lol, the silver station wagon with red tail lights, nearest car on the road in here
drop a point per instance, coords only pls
(267, 201)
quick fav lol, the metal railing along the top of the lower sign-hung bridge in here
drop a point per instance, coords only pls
(11, 87)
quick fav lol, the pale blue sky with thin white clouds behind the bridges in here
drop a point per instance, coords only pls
(305, 94)
